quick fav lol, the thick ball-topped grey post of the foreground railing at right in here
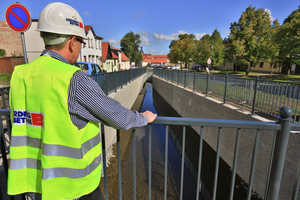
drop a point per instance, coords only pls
(281, 143)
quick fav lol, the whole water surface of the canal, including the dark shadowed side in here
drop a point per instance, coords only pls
(149, 99)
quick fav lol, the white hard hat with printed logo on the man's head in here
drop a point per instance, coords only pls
(60, 18)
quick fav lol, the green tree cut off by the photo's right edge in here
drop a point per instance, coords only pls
(288, 38)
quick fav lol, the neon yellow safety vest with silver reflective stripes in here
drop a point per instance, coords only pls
(48, 154)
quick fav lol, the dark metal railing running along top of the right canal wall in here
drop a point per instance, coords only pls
(258, 95)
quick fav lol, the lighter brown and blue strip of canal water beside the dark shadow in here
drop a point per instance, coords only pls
(157, 162)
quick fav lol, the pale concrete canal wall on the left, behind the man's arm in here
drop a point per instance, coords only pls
(126, 96)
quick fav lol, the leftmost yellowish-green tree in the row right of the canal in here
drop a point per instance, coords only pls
(182, 50)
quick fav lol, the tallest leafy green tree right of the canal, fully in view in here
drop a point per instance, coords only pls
(249, 37)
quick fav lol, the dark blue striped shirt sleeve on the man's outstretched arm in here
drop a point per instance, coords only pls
(92, 104)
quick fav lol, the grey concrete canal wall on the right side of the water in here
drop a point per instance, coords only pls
(189, 104)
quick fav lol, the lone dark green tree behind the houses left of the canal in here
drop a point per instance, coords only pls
(130, 45)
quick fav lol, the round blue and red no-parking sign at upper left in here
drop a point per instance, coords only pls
(17, 17)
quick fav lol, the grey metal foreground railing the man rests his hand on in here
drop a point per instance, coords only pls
(283, 128)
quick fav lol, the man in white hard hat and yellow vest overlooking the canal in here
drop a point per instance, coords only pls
(56, 109)
